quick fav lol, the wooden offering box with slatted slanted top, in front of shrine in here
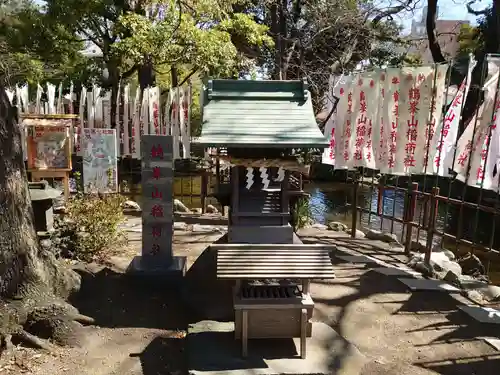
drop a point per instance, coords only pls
(273, 317)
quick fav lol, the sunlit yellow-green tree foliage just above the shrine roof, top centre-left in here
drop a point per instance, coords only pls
(199, 37)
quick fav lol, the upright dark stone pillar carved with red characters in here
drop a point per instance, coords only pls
(157, 196)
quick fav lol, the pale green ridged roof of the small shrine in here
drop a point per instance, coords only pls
(244, 113)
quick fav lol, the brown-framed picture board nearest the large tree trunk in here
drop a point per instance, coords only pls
(48, 144)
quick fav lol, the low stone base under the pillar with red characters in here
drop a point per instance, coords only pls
(158, 267)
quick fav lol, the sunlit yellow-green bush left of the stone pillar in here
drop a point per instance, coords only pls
(90, 226)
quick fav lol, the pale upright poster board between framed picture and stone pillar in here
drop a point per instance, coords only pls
(100, 171)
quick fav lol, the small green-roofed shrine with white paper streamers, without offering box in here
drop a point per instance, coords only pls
(260, 125)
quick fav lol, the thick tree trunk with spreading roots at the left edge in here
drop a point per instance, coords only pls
(30, 277)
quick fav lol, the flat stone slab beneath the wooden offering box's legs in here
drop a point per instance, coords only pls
(213, 350)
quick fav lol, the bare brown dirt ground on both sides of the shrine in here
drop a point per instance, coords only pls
(141, 329)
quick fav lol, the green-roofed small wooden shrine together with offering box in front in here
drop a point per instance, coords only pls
(257, 128)
